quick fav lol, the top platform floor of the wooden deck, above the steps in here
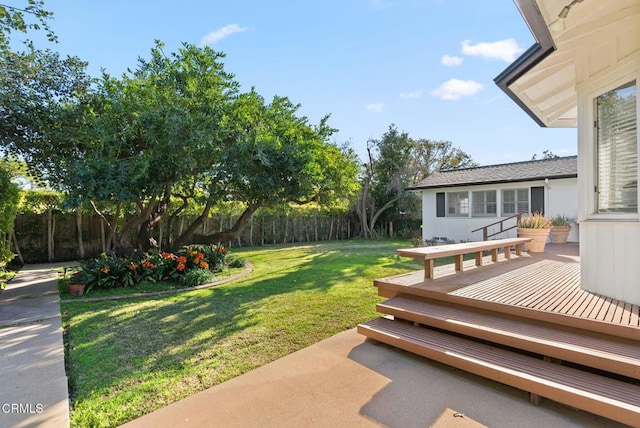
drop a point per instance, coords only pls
(548, 282)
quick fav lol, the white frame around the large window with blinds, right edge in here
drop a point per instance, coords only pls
(588, 133)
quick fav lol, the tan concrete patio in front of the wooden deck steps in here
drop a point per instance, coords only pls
(349, 381)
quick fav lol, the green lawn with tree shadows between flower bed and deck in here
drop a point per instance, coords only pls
(127, 358)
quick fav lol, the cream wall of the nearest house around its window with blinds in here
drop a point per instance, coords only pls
(609, 244)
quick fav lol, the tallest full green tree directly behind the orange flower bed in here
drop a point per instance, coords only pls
(145, 135)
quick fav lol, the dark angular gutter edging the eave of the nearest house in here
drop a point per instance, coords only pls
(543, 47)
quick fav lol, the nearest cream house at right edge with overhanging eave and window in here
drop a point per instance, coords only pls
(583, 72)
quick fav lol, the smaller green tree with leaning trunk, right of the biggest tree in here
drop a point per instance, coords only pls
(272, 157)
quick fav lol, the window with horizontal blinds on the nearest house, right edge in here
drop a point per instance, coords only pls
(617, 150)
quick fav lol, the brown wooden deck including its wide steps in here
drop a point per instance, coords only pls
(547, 335)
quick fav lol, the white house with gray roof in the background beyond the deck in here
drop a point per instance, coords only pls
(456, 203)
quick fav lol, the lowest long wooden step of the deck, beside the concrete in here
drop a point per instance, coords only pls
(604, 396)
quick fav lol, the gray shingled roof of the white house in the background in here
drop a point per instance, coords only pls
(564, 167)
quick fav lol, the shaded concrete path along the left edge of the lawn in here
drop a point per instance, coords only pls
(33, 382)
